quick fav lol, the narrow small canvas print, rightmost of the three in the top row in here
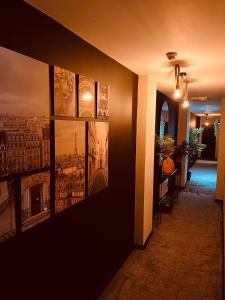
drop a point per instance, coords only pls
(103, 101)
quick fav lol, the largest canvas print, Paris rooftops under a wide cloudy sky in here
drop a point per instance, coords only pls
(24, 114)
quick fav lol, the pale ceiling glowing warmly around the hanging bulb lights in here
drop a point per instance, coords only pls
(139, 33)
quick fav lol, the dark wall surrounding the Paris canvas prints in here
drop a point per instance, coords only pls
(73, 254)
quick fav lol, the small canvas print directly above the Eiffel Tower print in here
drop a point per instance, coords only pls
(64, 92)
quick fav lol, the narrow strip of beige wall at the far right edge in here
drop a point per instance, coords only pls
(221, 155)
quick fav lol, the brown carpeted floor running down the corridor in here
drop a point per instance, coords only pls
(183, 259)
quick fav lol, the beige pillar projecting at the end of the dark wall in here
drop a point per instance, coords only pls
(145, 145)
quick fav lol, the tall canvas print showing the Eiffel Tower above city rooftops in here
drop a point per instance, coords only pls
(70, 163)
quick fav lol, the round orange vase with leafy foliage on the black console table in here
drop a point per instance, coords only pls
(165, 148)
